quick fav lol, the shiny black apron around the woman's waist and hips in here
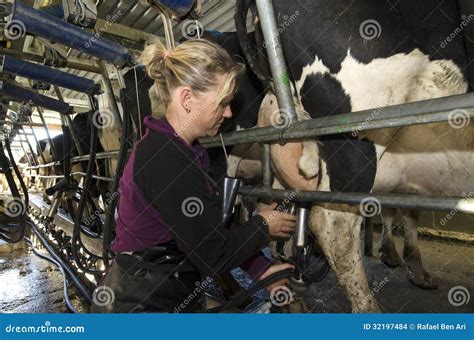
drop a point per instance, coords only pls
(156, 280)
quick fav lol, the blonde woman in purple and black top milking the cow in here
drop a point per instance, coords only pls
(169, 235)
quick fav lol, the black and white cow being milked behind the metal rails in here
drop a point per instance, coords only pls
(346, 56)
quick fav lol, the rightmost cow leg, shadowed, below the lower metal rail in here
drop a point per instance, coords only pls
(417, 274)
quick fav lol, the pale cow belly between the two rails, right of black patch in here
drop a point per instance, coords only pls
(431, 159)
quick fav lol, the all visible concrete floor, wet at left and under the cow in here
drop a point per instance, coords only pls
(31, 285)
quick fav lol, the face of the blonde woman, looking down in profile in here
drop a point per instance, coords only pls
(210, 114)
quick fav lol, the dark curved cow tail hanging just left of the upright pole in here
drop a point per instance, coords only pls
(250, 51)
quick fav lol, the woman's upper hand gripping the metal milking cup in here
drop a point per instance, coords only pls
(280, 225)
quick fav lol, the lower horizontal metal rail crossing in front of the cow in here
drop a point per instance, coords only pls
(460, 204)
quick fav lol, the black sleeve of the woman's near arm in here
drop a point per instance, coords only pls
(165, 173)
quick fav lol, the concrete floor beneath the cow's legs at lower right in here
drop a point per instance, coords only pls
(449, 264)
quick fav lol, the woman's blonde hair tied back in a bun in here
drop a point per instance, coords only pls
(195, 63)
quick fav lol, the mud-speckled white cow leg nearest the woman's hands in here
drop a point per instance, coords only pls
(337, 230)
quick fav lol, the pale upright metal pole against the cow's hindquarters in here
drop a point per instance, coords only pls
(276, 59)
